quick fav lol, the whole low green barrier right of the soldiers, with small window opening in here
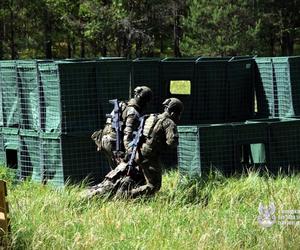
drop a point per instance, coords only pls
(272, 143)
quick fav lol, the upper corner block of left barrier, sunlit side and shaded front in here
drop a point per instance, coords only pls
(68, 97)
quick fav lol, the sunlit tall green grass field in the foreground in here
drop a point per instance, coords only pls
(218, 213)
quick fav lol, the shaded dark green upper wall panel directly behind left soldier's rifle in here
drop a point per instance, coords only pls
(113, 82)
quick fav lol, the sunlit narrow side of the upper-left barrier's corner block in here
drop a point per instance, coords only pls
(49, 97)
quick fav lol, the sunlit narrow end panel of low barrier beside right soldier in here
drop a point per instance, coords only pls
(188, 151)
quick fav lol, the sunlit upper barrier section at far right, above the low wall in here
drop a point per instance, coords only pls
(277, 86)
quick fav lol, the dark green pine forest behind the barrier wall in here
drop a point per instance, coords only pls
(148, 28)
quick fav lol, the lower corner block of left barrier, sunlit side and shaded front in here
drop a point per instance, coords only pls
(71, 159)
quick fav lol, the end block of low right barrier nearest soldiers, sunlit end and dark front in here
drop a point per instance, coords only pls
(205, 147)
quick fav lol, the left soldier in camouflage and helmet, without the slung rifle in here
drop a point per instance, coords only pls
(130, 112)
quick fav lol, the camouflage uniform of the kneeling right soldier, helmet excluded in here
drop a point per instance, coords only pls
(159, 132)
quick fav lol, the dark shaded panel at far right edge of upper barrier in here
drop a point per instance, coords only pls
(294, 72)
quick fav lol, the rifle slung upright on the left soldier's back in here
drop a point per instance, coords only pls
(116, 124)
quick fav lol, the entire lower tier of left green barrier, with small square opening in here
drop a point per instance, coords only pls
(51, 158)
